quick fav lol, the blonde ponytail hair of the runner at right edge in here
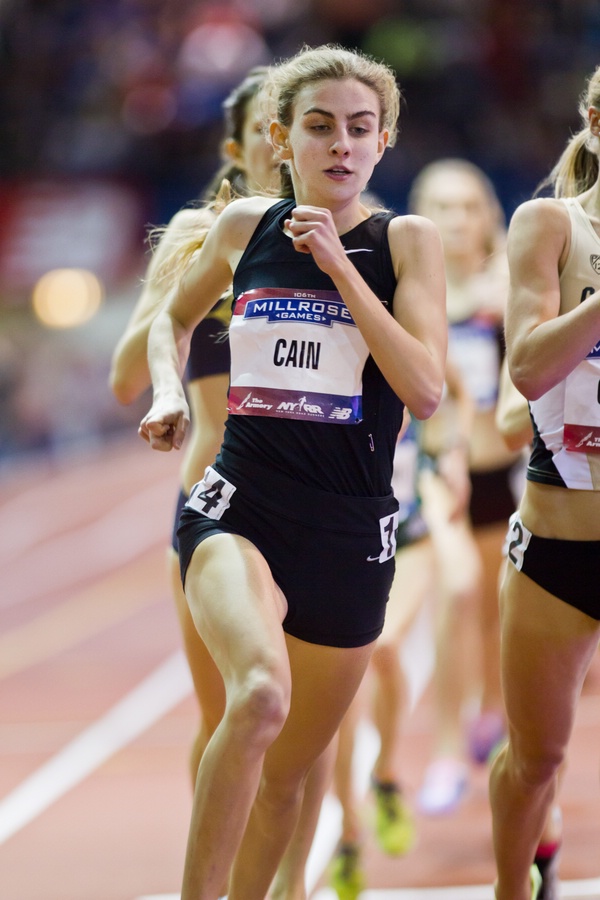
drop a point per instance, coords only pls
(577, 168)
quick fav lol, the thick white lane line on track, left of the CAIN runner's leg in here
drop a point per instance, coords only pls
(162, 690)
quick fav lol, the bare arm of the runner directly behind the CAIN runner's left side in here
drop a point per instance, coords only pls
(129, 374)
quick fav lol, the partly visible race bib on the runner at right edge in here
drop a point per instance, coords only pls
(582, 406)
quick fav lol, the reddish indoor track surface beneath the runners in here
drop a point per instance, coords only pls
(97, 715)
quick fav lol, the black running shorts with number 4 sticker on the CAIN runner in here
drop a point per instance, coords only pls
(331, 555)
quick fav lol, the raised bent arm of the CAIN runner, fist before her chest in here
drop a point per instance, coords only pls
(410, 348)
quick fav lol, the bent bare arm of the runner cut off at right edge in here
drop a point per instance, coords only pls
(543, 347)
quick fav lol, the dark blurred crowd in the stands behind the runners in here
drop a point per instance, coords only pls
(128, 93)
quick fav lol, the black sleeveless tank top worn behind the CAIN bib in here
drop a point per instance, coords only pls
(357, 459)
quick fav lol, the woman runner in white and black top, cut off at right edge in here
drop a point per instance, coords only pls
(550, 607)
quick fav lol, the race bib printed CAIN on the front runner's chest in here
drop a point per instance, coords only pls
(296, 355)
